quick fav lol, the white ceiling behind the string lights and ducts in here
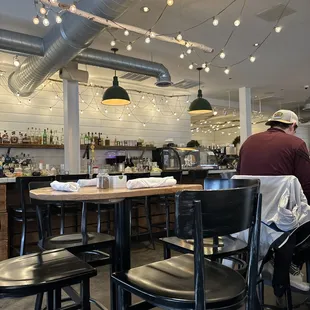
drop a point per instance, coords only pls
(281, 69)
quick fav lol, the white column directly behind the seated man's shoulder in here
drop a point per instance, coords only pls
(245, 109)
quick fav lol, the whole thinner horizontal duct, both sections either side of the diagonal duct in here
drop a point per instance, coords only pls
(21, 43)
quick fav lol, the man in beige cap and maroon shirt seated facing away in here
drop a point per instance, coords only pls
(278, 152)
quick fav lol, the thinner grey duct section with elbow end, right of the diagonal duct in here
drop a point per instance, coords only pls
(124, 63)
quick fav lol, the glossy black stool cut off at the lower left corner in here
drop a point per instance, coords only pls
(50, 271)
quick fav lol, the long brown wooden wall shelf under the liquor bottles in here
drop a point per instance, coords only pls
(48, 146)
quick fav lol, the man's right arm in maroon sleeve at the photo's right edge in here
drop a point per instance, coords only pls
(302, 169)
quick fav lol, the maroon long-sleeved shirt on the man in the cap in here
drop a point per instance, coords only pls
(274, 152)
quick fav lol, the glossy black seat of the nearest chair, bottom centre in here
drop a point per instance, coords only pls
(174, 278)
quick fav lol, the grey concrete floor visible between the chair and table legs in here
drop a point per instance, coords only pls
(141, 254)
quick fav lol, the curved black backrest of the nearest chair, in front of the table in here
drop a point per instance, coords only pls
(227, 207)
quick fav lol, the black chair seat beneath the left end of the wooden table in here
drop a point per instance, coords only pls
(76, 242)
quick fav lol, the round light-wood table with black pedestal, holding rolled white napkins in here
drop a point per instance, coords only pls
(122, 214)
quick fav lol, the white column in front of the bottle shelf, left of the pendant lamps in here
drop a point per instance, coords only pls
(71, 126)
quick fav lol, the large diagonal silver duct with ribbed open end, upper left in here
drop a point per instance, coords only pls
(63, 43)
